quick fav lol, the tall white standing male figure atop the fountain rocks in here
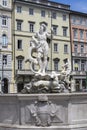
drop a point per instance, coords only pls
(39, 41)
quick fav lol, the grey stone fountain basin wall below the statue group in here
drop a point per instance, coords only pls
(20, 111)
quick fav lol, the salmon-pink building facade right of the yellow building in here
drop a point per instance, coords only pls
(78, 22)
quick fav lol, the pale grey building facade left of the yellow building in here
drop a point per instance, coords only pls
(5, 46)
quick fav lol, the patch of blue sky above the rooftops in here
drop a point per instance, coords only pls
(77, 5)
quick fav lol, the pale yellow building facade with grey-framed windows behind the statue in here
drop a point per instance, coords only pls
(27, 16)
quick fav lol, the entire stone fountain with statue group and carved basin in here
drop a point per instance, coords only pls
(47, 102)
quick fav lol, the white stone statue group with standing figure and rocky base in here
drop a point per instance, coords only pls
(42, 81)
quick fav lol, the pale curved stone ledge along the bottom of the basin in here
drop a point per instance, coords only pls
(18, 127)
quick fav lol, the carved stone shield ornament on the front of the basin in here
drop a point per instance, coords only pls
(43, 111)
